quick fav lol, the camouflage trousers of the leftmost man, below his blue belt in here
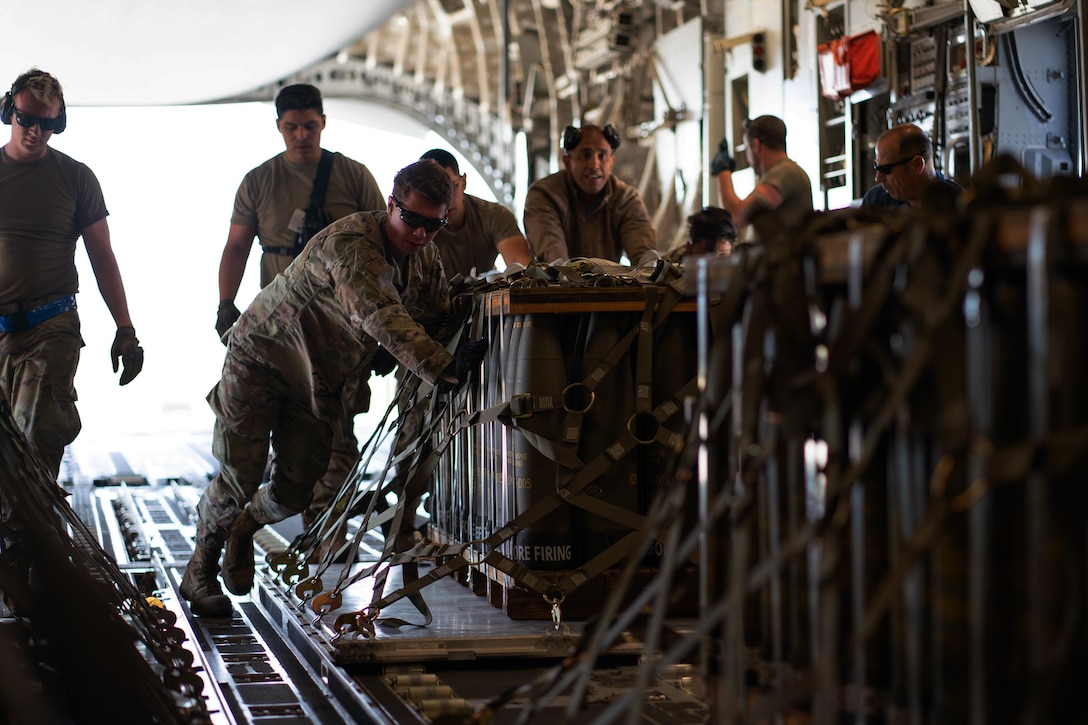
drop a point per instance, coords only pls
(38, 377)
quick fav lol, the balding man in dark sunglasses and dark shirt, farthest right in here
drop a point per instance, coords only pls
(905, 171)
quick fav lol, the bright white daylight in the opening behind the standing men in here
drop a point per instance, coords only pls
(169, 176)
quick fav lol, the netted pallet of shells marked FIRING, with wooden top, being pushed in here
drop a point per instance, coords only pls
(529, 477)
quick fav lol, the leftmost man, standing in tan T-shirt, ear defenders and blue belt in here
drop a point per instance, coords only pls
(48, 201)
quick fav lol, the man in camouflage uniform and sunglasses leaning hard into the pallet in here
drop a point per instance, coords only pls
(372, 279)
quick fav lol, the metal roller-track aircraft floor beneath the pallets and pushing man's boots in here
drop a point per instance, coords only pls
(276, 661)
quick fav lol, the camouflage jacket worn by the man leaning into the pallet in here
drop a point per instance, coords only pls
(320, 323)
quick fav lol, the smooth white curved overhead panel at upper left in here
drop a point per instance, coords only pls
(150, 53)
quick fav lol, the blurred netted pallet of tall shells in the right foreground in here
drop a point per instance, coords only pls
(888, 481)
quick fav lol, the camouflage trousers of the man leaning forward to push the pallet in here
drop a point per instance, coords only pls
(254, 408)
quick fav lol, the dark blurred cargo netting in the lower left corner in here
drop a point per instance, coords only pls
(89, 643)
